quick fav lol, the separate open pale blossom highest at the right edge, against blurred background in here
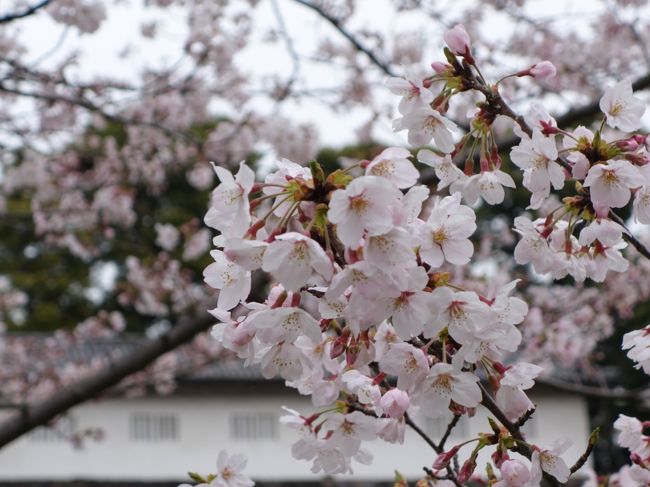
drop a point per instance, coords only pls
(622, 108)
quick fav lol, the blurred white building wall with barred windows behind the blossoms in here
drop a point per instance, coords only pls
(161, 438)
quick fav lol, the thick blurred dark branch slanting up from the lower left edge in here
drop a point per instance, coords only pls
(43, 412)
